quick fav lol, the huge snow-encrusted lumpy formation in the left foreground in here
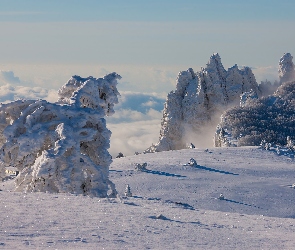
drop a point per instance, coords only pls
(61, 147)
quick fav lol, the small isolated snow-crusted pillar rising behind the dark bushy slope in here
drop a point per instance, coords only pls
(286, 68)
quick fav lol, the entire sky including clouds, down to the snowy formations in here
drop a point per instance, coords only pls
(44, 42)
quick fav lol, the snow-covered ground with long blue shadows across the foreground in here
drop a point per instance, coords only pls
(173, 206)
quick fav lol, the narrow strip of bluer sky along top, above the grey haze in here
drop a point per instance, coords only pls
(152, 10)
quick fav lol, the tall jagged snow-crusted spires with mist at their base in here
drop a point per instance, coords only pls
(198, 98)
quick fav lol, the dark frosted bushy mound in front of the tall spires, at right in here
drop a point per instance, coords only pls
(269, 118)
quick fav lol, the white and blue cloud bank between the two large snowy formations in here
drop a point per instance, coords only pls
(136, 123)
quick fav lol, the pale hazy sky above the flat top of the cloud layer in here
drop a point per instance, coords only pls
(161, 32)
